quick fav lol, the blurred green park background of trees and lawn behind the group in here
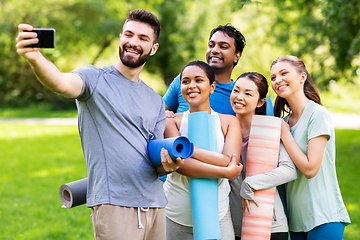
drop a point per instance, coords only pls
(37, 158)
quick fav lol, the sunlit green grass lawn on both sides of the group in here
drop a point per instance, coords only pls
(37, 159)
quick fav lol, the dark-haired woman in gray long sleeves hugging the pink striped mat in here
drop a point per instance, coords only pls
(247, 99)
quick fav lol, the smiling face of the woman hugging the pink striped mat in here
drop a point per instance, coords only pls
(245, 97)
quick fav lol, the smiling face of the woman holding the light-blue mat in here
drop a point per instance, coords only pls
(195, 86)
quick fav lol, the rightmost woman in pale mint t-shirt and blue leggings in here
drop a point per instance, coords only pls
(315, 206)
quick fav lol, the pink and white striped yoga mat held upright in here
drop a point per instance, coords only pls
(262, 156)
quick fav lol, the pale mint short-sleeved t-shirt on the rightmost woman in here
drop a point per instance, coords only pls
(315, 201)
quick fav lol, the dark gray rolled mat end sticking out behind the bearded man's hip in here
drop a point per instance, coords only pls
(74, 193)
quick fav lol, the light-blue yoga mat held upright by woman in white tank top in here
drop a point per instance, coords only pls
(204, 191)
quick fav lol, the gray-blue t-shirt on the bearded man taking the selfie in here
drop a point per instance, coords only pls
(117, 118)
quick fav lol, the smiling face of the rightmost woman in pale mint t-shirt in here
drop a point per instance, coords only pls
(286, 80)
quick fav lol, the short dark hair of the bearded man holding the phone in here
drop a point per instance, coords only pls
(146, 17)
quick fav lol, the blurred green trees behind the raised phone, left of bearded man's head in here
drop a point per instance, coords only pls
(84, 30)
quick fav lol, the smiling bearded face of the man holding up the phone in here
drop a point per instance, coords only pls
(136, 44)
